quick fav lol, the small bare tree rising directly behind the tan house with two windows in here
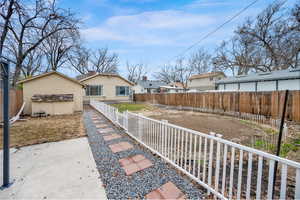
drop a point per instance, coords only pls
(103, 62)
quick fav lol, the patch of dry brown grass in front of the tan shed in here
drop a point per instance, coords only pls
(46, 129)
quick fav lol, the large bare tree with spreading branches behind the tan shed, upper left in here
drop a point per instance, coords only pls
(34, 23)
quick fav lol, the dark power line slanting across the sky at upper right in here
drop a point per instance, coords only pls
(216, 29)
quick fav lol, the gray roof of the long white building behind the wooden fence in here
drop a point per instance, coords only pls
(266, 76)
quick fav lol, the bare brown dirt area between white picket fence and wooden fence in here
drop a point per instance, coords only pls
(232, 129)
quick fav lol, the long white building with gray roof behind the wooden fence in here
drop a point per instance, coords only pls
(268, 81)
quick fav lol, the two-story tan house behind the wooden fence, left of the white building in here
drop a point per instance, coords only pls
(207, 81)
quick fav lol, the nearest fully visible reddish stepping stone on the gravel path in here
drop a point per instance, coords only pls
(134, 164)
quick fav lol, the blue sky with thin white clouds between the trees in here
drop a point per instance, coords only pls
(153, 32)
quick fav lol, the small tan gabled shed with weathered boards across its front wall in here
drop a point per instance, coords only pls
(52, 93)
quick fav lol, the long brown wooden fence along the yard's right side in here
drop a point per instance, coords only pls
(268, 104)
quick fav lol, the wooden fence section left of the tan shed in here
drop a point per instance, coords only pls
(15, 101)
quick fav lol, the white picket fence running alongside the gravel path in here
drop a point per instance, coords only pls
(226, 169)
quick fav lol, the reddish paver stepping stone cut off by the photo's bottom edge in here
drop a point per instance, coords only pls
(166, 191)
